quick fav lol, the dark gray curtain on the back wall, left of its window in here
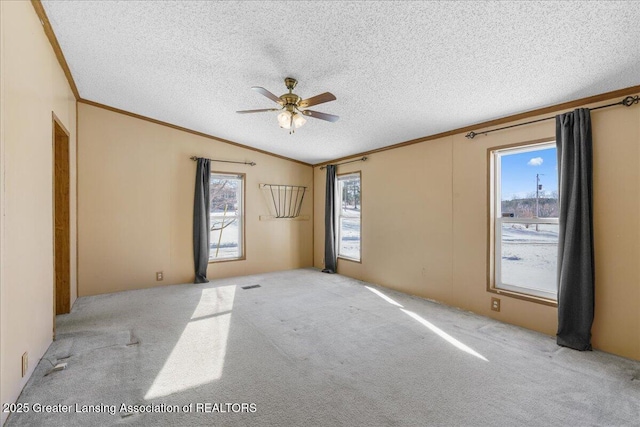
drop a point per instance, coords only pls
(201, 221)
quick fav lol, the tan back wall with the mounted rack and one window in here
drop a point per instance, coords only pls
(136, 185)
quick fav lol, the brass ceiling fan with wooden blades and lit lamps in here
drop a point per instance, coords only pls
(292, 106)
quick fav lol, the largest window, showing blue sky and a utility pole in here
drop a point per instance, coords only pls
(524, 216)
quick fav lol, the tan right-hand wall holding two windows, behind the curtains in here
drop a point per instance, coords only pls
(424, 225)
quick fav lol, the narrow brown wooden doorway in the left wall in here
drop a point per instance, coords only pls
(61, 216)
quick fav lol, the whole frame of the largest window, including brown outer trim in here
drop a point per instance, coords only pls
(495, 221)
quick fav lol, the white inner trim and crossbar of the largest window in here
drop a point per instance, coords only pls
(495, 174)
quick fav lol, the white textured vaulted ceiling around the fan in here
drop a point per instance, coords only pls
(399, 70)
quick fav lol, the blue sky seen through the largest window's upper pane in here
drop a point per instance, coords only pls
(519, 173)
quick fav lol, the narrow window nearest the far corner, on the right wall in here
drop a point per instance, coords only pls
(349, 216)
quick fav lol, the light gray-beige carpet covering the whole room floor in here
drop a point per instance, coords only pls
(312, 349)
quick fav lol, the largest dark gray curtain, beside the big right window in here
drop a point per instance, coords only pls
(576, 273)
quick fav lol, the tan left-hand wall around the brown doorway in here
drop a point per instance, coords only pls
(32, 87)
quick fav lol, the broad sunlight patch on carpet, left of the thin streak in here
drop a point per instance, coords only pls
(198, 356)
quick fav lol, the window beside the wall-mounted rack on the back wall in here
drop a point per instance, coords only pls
(227, 217)
